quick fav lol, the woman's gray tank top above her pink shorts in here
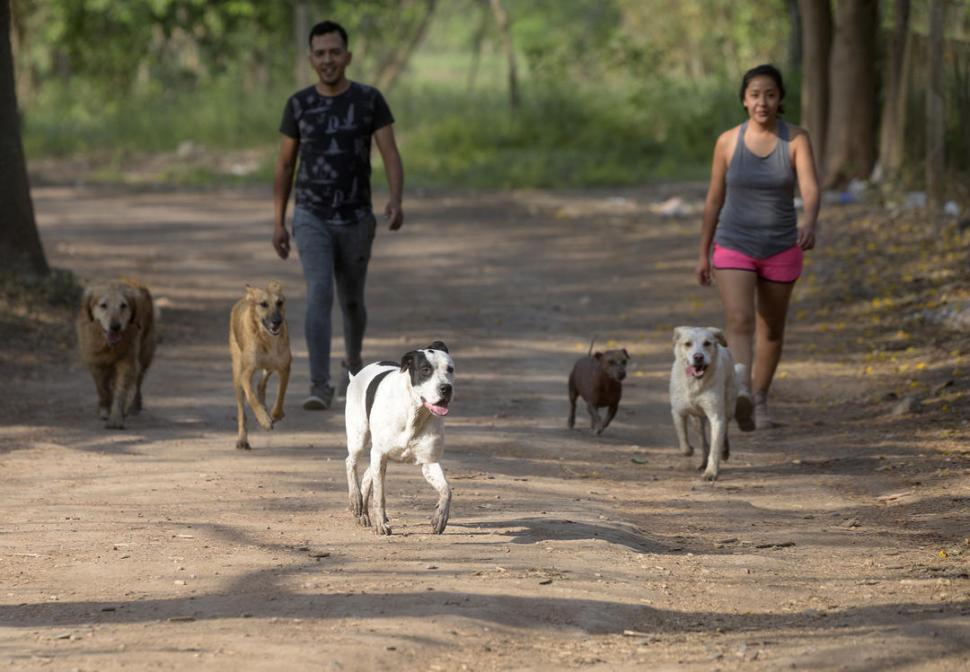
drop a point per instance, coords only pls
(758, 217)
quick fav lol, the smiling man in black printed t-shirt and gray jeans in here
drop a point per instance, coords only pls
(329, 126)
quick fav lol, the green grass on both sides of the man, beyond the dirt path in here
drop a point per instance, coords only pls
(597, 134)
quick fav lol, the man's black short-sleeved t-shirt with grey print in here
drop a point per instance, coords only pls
(333, 180)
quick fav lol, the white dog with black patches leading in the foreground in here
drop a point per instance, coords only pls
(397, 410)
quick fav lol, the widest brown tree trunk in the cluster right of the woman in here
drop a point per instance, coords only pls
(850, 135)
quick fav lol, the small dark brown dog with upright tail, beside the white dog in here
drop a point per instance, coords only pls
(597, 378)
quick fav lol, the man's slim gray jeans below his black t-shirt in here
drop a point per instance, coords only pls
(331, 254)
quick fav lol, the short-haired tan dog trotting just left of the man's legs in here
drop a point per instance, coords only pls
(258, 339)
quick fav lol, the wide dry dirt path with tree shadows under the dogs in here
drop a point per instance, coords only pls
(162, 547)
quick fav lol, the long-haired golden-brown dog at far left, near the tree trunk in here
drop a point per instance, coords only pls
(116, 337)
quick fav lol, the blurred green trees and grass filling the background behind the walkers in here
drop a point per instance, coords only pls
(614, 91)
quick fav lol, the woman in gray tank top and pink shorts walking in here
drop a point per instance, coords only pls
(749, 215)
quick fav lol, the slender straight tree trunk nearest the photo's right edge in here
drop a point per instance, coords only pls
(935, 186)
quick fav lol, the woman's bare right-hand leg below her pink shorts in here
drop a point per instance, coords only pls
(773, 300)
